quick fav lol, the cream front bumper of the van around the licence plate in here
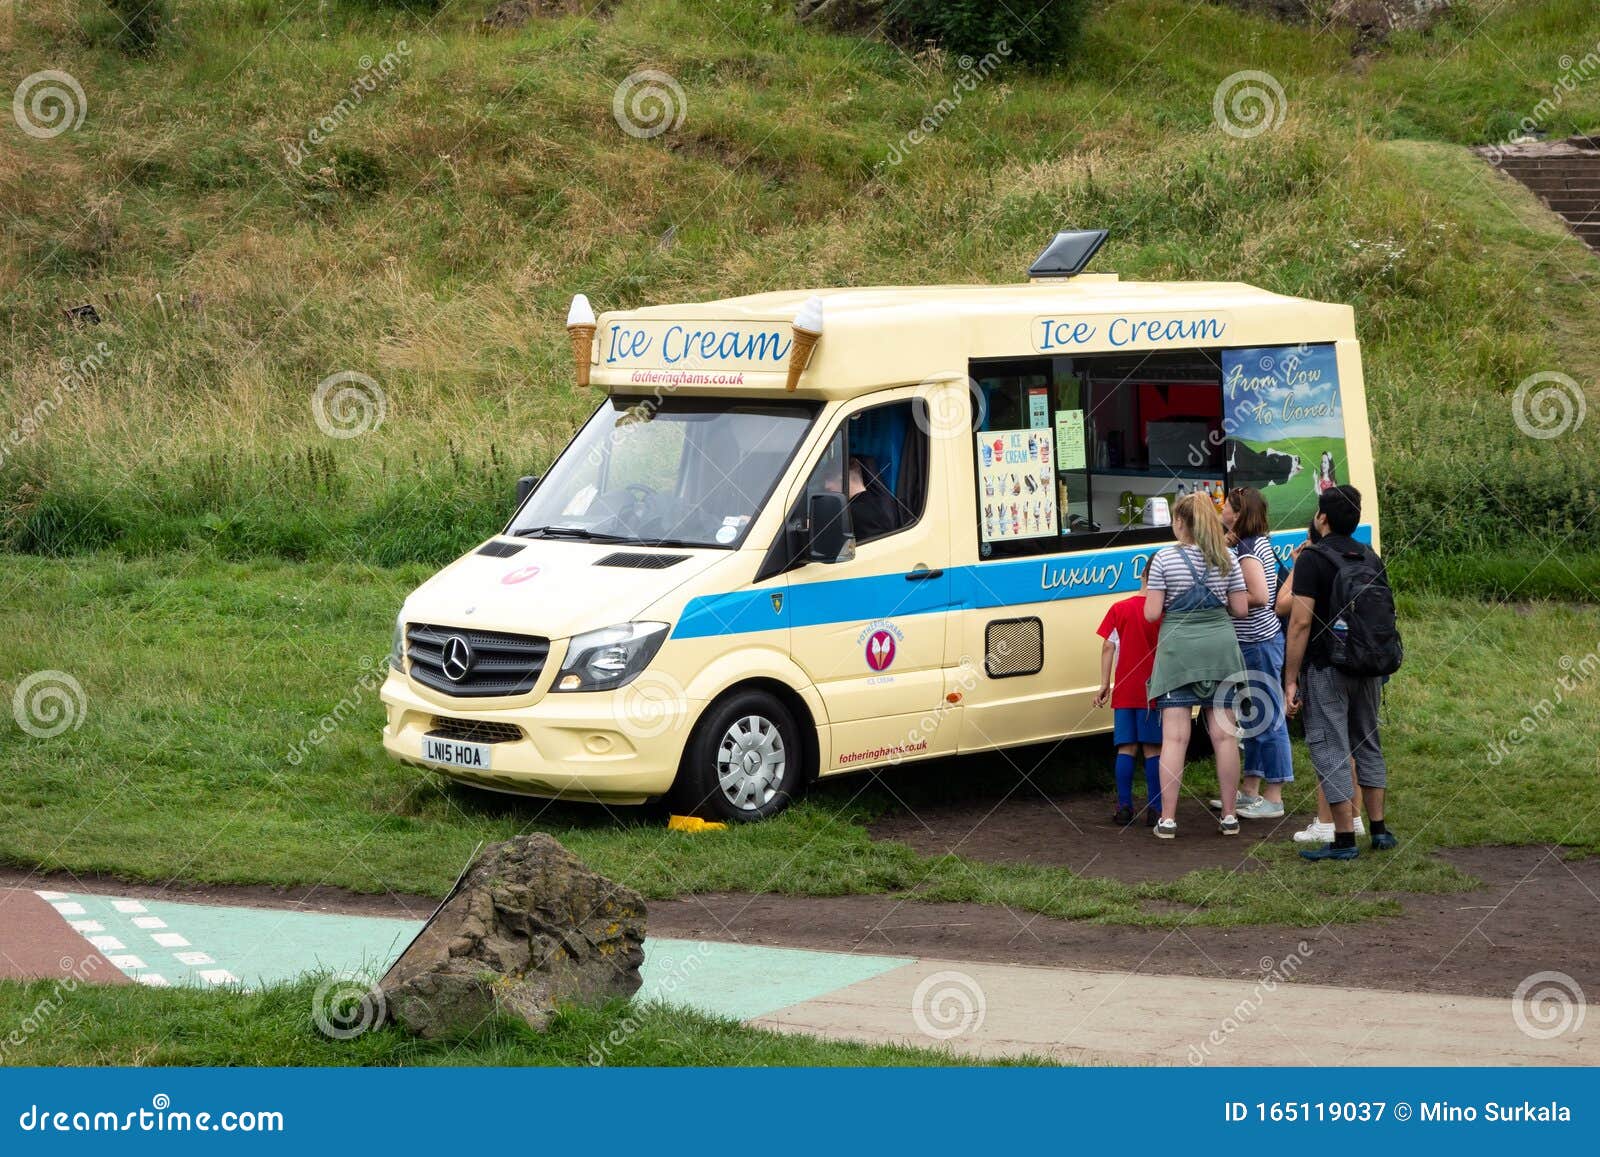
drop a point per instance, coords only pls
(582, 747)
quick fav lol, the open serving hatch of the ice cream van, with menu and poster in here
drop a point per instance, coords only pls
(1089, 452)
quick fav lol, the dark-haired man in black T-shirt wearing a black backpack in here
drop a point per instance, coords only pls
(1343, 646)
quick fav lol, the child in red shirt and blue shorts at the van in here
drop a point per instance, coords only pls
(1135, 724)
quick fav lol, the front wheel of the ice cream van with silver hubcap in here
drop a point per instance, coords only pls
(745, 761)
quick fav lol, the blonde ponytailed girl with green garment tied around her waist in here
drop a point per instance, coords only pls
(1196, 591)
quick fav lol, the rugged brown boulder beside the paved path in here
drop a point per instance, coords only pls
(529, 927)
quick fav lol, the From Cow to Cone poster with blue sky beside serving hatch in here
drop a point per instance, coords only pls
(1284, 423)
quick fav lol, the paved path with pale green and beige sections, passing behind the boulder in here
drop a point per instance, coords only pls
(980, 1011)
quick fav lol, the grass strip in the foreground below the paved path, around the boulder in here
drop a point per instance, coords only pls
(134, 1025)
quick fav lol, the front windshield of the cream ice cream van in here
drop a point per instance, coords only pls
(668, 471)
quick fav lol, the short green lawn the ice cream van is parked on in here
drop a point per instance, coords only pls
(202, 678)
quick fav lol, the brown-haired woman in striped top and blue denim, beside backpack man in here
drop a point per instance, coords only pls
(1262, 721)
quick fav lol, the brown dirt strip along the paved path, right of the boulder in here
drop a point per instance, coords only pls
(1537, 913)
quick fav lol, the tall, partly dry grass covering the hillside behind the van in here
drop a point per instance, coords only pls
(436, 239)
